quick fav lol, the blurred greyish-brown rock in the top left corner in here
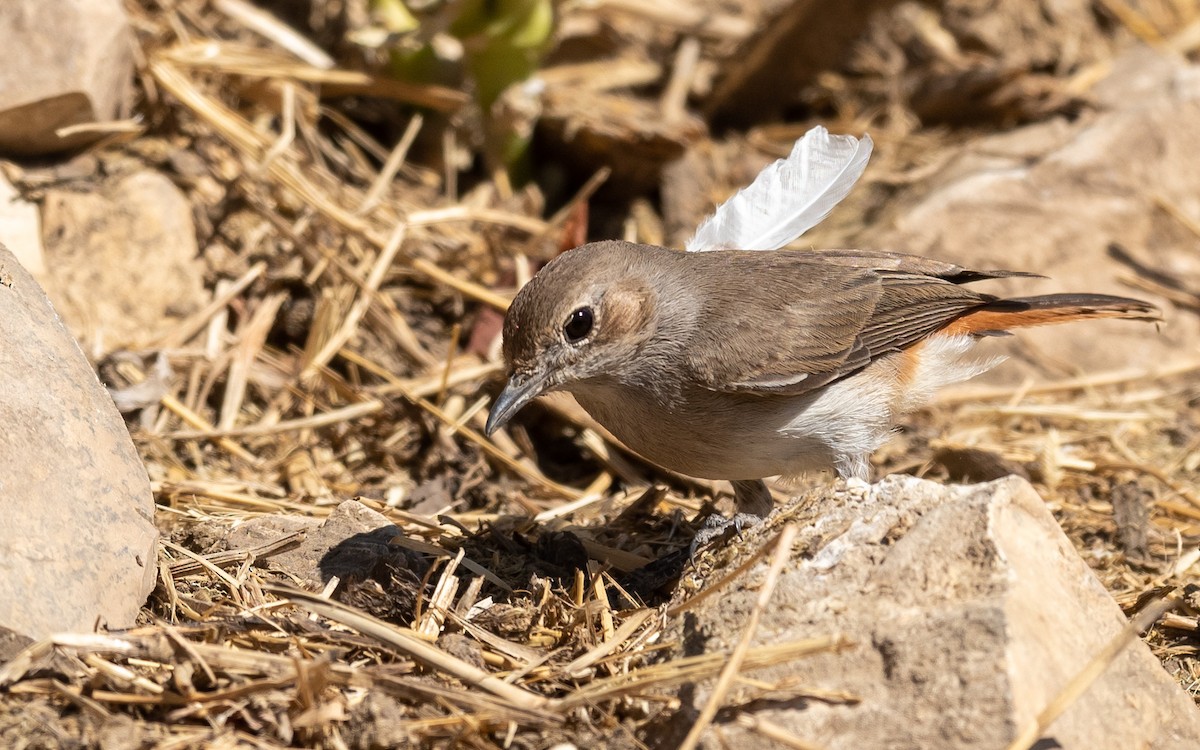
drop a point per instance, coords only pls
(67, 63)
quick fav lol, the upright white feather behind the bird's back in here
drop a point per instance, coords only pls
(789, 197)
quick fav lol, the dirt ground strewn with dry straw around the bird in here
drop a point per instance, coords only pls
(367, 238)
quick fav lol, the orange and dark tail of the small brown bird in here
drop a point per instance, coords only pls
(1047, 310)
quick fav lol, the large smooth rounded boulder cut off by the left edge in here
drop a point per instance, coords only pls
(79, 539)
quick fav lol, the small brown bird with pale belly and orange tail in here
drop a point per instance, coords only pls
(741, 365)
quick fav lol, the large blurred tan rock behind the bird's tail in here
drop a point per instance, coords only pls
(1053, 199)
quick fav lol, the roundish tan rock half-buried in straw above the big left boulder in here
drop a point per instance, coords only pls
(123, 262)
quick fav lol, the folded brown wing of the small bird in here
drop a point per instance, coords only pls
(818, 320)
